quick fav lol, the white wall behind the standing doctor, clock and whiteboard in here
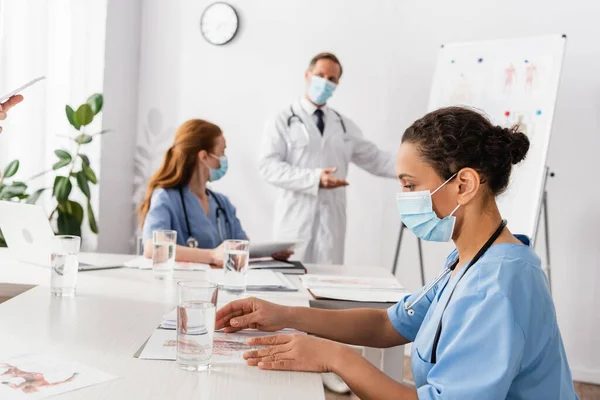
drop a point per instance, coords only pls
(388, 49)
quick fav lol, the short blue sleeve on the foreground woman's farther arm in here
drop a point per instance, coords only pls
(408, 325)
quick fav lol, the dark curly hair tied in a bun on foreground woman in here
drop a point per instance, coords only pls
(453, 138)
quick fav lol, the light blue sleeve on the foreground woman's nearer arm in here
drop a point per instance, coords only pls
(479, 352)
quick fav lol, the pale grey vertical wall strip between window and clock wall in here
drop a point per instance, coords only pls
(115, 213)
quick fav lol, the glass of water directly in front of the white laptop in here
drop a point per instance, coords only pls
(65, 265)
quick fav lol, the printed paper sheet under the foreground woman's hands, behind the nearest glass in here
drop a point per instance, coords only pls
(228, 348)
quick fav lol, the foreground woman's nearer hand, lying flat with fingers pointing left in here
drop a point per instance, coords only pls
(293, 353)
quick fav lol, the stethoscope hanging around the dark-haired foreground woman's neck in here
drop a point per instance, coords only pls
(409, 308)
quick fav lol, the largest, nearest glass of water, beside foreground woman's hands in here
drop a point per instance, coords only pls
(196, 315)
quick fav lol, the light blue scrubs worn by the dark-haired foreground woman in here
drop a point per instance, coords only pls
(499, 339)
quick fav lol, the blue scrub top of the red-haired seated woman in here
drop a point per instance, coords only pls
(166, 212)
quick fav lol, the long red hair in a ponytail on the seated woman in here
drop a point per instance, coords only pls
(181, 159)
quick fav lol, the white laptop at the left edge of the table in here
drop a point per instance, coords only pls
(28, 235)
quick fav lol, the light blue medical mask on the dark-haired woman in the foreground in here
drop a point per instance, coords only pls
(416, 212)
